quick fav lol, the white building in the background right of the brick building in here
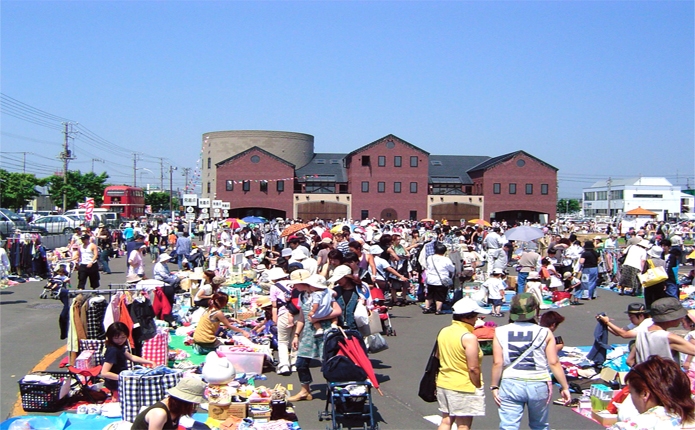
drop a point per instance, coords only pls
(622, 195)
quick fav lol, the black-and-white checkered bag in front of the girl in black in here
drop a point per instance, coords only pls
(144, 387)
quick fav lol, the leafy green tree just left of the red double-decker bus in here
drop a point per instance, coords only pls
(78, 187)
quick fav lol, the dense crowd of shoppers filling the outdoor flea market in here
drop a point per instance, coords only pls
(321, 273)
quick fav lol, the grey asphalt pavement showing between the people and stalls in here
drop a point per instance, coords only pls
(29, 333)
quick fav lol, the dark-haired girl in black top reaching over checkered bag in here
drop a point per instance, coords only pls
(116, 355)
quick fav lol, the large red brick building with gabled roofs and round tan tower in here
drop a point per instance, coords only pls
(386, 179)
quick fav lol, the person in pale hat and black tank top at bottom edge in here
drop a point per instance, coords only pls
(182, 400)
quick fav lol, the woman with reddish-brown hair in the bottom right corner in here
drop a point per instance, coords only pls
(660, 392)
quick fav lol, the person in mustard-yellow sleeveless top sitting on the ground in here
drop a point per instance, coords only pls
(205, 335)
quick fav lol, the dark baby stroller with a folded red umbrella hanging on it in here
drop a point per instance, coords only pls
(350, 379)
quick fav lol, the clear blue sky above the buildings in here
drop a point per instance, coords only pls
(596, 89)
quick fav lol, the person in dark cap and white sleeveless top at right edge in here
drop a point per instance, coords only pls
(656, 340)
